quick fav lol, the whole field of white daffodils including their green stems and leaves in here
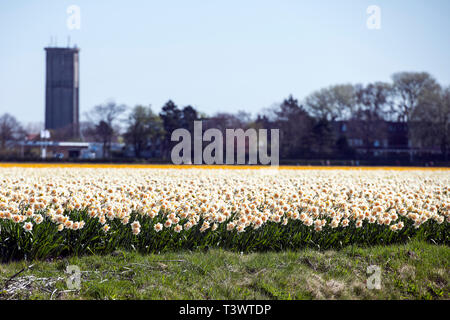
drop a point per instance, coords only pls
(55, 211)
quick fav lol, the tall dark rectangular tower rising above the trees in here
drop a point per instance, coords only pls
(62, 90)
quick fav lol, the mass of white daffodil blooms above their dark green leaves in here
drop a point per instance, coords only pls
(207, 198)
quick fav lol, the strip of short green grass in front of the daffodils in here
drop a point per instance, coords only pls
(417, 270)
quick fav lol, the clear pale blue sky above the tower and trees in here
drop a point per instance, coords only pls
(217, 55)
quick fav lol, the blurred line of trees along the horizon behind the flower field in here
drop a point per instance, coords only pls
(307, 127)
